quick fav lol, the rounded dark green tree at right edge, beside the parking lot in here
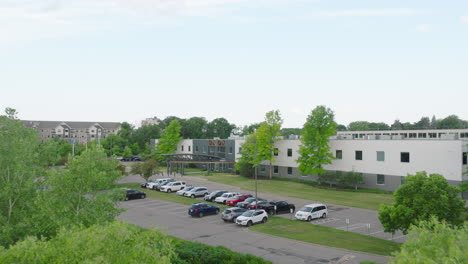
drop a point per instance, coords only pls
(420, 198)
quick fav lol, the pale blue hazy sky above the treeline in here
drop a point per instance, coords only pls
(127, 60)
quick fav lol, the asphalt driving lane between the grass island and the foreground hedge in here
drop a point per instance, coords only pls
(174, 220)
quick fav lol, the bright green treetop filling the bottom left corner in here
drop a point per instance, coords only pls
(114, 242)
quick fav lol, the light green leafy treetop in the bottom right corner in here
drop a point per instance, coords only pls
(434, 242)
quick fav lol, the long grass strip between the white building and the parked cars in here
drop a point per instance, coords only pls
(366, 200)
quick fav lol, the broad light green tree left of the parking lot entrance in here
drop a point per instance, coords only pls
(76, 196)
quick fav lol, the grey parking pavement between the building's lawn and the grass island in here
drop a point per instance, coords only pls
(359, 220)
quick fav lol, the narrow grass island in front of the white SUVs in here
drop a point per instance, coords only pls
(303, 231)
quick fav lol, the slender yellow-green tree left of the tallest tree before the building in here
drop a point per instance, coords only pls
(267, 135)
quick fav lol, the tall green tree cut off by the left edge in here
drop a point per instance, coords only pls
(19, 180)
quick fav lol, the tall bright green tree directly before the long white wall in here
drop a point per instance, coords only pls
(314, 151)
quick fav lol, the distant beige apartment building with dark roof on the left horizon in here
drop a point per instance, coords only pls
(81, 132)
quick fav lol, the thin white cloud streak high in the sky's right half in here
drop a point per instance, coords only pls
(374, 12)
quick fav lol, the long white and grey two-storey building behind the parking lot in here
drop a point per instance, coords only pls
(383, 157)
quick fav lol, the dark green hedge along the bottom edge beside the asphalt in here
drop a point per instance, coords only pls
(197, 253)
